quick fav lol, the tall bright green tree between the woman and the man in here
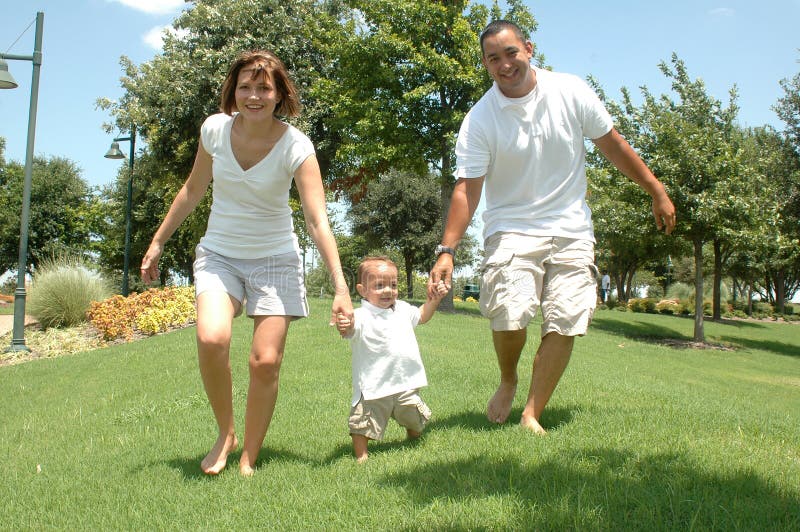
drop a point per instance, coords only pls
(406, 73)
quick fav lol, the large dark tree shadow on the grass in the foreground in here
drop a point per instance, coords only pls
(603, 489)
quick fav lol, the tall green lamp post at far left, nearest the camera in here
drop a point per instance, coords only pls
(8, 82)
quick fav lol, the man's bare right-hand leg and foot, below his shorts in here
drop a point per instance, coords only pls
(551, 360)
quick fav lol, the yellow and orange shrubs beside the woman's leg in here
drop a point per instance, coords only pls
(148, 313)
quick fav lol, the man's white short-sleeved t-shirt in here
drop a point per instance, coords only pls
(532, 152)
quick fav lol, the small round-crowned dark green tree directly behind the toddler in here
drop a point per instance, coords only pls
(391, 215)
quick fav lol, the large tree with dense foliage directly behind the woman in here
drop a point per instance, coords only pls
(169, 97)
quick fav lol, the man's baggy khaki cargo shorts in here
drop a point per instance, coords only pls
(522, 273)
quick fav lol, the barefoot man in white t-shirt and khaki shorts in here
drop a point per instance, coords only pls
(524, 140)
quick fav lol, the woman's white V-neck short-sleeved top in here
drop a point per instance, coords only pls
(250, 214)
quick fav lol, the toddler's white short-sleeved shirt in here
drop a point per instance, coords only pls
(386, 358)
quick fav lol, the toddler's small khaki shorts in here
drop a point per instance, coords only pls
(370, 417)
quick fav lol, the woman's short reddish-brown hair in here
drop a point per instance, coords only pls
(265, 62)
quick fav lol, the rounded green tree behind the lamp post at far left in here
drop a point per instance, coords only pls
(59, 215)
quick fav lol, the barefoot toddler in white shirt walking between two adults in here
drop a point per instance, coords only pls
(387, 367)
